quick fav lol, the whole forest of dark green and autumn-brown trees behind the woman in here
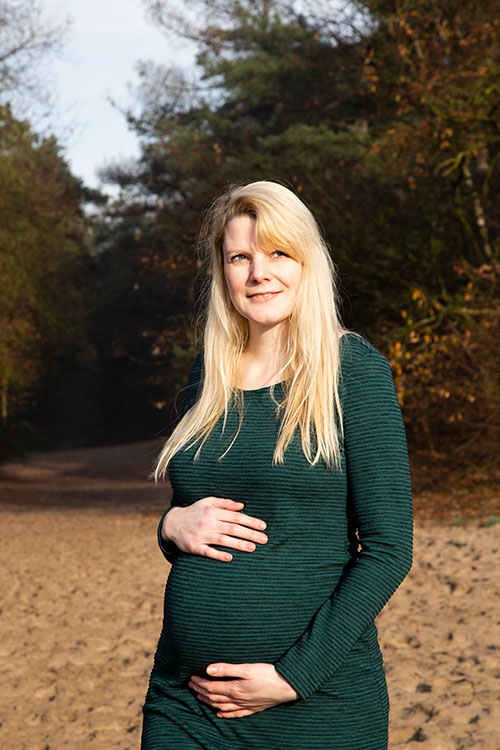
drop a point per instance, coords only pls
(383, 115)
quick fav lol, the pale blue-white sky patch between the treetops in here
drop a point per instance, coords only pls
(105, 40)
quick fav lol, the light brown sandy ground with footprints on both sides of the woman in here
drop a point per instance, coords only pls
(82, 584)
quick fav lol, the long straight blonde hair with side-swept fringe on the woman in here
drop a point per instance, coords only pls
(311, 395)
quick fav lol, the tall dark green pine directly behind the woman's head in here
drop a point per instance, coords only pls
(276, 97)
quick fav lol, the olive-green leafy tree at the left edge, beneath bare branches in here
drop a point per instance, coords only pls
(41, 246)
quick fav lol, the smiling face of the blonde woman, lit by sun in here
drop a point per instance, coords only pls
(263, 284)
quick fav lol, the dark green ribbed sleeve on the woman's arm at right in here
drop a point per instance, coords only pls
(379, 508)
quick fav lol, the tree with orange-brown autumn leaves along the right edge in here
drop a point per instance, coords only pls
(435, 69)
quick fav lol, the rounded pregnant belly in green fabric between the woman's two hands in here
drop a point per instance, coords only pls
(251, 609)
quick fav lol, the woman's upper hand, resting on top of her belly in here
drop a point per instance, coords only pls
(213, 520)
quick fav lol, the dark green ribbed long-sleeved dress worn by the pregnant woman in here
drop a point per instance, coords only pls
(339, 545)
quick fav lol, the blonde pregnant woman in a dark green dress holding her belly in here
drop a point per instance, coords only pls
(290, 524)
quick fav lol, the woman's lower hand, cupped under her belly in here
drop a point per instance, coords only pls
(255, 687)
